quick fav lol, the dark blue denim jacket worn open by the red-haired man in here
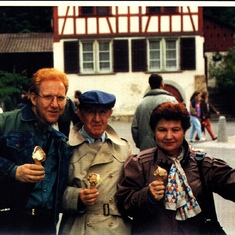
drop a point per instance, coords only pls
(18, 137)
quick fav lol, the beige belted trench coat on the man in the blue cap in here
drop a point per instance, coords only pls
(106, 159)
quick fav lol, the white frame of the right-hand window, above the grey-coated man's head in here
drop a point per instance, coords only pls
(163, 55)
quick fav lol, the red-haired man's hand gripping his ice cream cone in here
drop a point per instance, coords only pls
(30, 173)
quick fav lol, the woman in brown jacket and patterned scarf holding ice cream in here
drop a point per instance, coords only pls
(171, 202)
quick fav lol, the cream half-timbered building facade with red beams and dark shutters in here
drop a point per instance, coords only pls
(116, 48)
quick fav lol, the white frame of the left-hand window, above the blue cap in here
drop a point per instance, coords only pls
(97, 69)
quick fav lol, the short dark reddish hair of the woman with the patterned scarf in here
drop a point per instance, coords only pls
(170, 111)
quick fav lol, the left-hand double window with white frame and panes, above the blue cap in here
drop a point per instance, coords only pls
(96, 57)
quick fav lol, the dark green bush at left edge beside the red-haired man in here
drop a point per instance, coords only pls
(11, 86)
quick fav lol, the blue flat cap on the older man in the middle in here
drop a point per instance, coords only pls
(97, 98)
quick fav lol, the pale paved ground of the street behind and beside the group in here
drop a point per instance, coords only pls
(224, 150)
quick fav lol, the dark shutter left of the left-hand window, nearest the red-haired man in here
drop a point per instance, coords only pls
(71, 57)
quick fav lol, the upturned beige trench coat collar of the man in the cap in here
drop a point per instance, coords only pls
(75, 137)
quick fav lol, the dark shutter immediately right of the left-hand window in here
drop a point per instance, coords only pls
(121, 56)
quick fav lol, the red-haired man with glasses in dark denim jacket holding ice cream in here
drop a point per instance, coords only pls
(31, 190)
